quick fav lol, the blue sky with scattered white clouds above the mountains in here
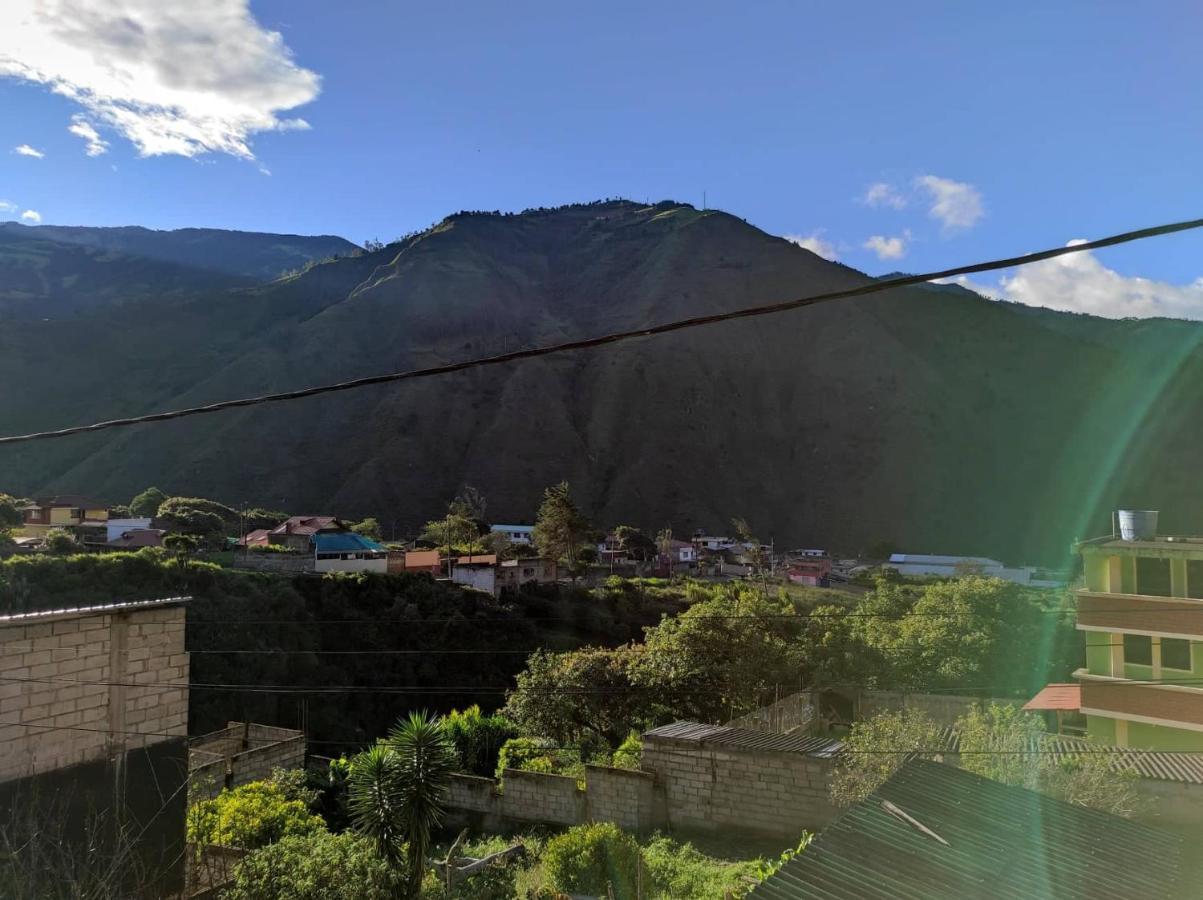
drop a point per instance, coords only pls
(891, 137)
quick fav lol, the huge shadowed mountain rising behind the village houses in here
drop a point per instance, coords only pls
(935, 419)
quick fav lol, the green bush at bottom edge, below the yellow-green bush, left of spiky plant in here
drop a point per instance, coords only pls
(318, 867)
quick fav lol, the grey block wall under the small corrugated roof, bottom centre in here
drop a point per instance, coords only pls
(768, 792)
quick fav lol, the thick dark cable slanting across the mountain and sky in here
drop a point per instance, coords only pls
(617, 337)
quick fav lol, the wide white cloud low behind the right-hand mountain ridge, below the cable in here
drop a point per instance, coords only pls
(1080, 283)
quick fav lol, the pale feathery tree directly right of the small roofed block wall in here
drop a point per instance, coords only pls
(878, 748)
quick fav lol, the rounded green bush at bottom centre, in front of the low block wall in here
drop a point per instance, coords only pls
(594, 860)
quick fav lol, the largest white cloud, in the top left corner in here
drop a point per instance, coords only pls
(174, 79)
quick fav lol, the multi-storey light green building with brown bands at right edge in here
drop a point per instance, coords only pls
(1142, 613)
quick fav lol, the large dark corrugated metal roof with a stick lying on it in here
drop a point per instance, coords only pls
(1000, 842)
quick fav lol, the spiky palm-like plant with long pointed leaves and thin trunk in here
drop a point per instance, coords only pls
(398, 789)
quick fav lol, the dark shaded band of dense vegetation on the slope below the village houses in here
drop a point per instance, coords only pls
(371, 647)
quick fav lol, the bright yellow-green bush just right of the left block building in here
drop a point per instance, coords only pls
(252, 816)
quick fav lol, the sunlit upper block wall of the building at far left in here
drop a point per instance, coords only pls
(81, 686)
